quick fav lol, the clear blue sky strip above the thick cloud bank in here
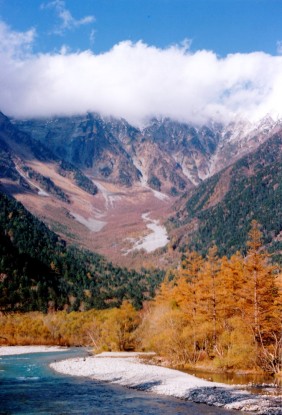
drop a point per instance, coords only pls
(223, 26)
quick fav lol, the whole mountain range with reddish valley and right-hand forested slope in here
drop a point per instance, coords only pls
(92, 179)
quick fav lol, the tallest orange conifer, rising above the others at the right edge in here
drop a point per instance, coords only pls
(261, 300)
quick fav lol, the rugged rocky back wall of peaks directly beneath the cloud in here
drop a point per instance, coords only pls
(167, 156)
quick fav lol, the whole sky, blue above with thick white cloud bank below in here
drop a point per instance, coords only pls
(190, 60)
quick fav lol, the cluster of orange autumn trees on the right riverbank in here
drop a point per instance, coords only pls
(224, 311)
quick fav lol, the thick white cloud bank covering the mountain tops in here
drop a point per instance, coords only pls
(137, 81)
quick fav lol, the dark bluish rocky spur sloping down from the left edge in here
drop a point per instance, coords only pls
(18, 149)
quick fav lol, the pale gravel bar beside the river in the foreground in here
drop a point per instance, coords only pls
(132, 372)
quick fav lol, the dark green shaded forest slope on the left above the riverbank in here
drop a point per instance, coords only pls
(38, 271)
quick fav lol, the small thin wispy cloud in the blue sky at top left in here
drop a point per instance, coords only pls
(65, 16)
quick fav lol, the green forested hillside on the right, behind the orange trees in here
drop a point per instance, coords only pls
(221, 209)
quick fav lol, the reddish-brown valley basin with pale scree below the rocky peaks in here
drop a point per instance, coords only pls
(117, 223)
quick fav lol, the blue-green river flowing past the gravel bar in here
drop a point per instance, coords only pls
(28, 386)
